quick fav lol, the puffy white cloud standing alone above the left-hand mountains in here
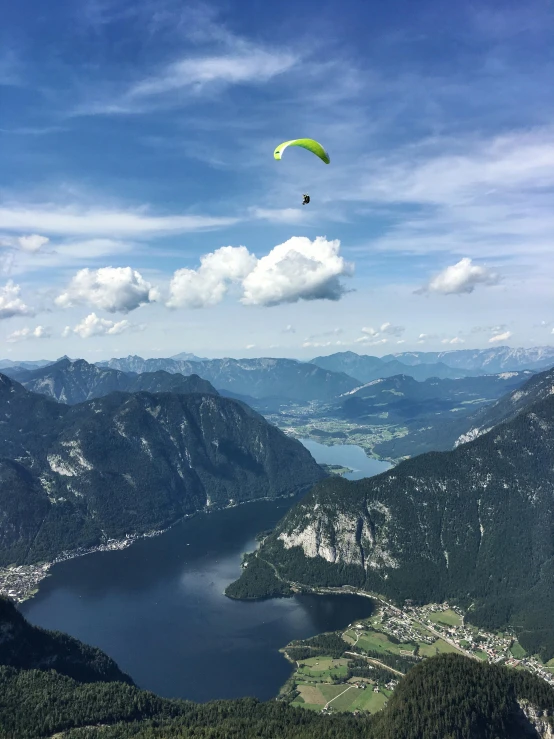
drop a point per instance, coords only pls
(113, 289)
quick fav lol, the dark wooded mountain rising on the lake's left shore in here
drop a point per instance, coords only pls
(74, 476)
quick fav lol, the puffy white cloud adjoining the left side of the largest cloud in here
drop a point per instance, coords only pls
(208, 284)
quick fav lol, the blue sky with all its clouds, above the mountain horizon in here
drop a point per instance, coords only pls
(141, 209)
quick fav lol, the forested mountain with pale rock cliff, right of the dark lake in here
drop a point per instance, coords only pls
(475, 525)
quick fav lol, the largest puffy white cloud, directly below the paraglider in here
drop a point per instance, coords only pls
(299, 269)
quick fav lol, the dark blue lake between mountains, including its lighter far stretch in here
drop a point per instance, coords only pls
(158, 607)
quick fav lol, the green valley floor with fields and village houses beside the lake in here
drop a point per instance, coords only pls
(386, 645)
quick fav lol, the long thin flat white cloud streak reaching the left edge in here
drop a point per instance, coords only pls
(54, 219)
